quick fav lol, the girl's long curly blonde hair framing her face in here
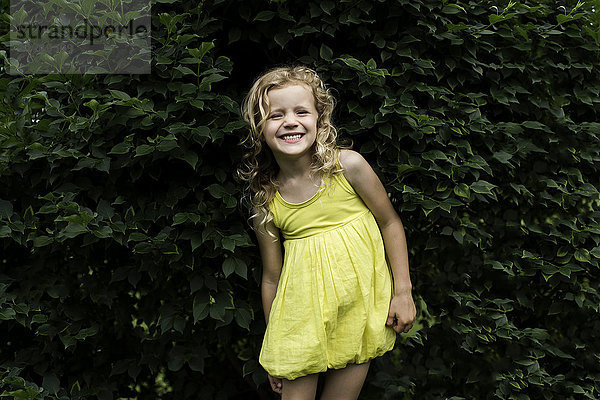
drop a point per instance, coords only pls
(259, 168)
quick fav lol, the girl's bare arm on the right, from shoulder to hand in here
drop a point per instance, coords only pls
(368, 186)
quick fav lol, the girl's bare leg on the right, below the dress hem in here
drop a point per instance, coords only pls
(345, 383)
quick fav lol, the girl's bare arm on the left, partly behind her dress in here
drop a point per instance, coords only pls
(272, 260)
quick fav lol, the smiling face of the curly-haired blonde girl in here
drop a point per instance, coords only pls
(291, 126)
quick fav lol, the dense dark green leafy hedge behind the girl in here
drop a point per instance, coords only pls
(128, 269)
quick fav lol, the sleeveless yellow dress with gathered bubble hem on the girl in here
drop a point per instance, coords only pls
(335, 286)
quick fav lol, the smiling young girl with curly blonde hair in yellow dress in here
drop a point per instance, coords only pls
(329, 299)
